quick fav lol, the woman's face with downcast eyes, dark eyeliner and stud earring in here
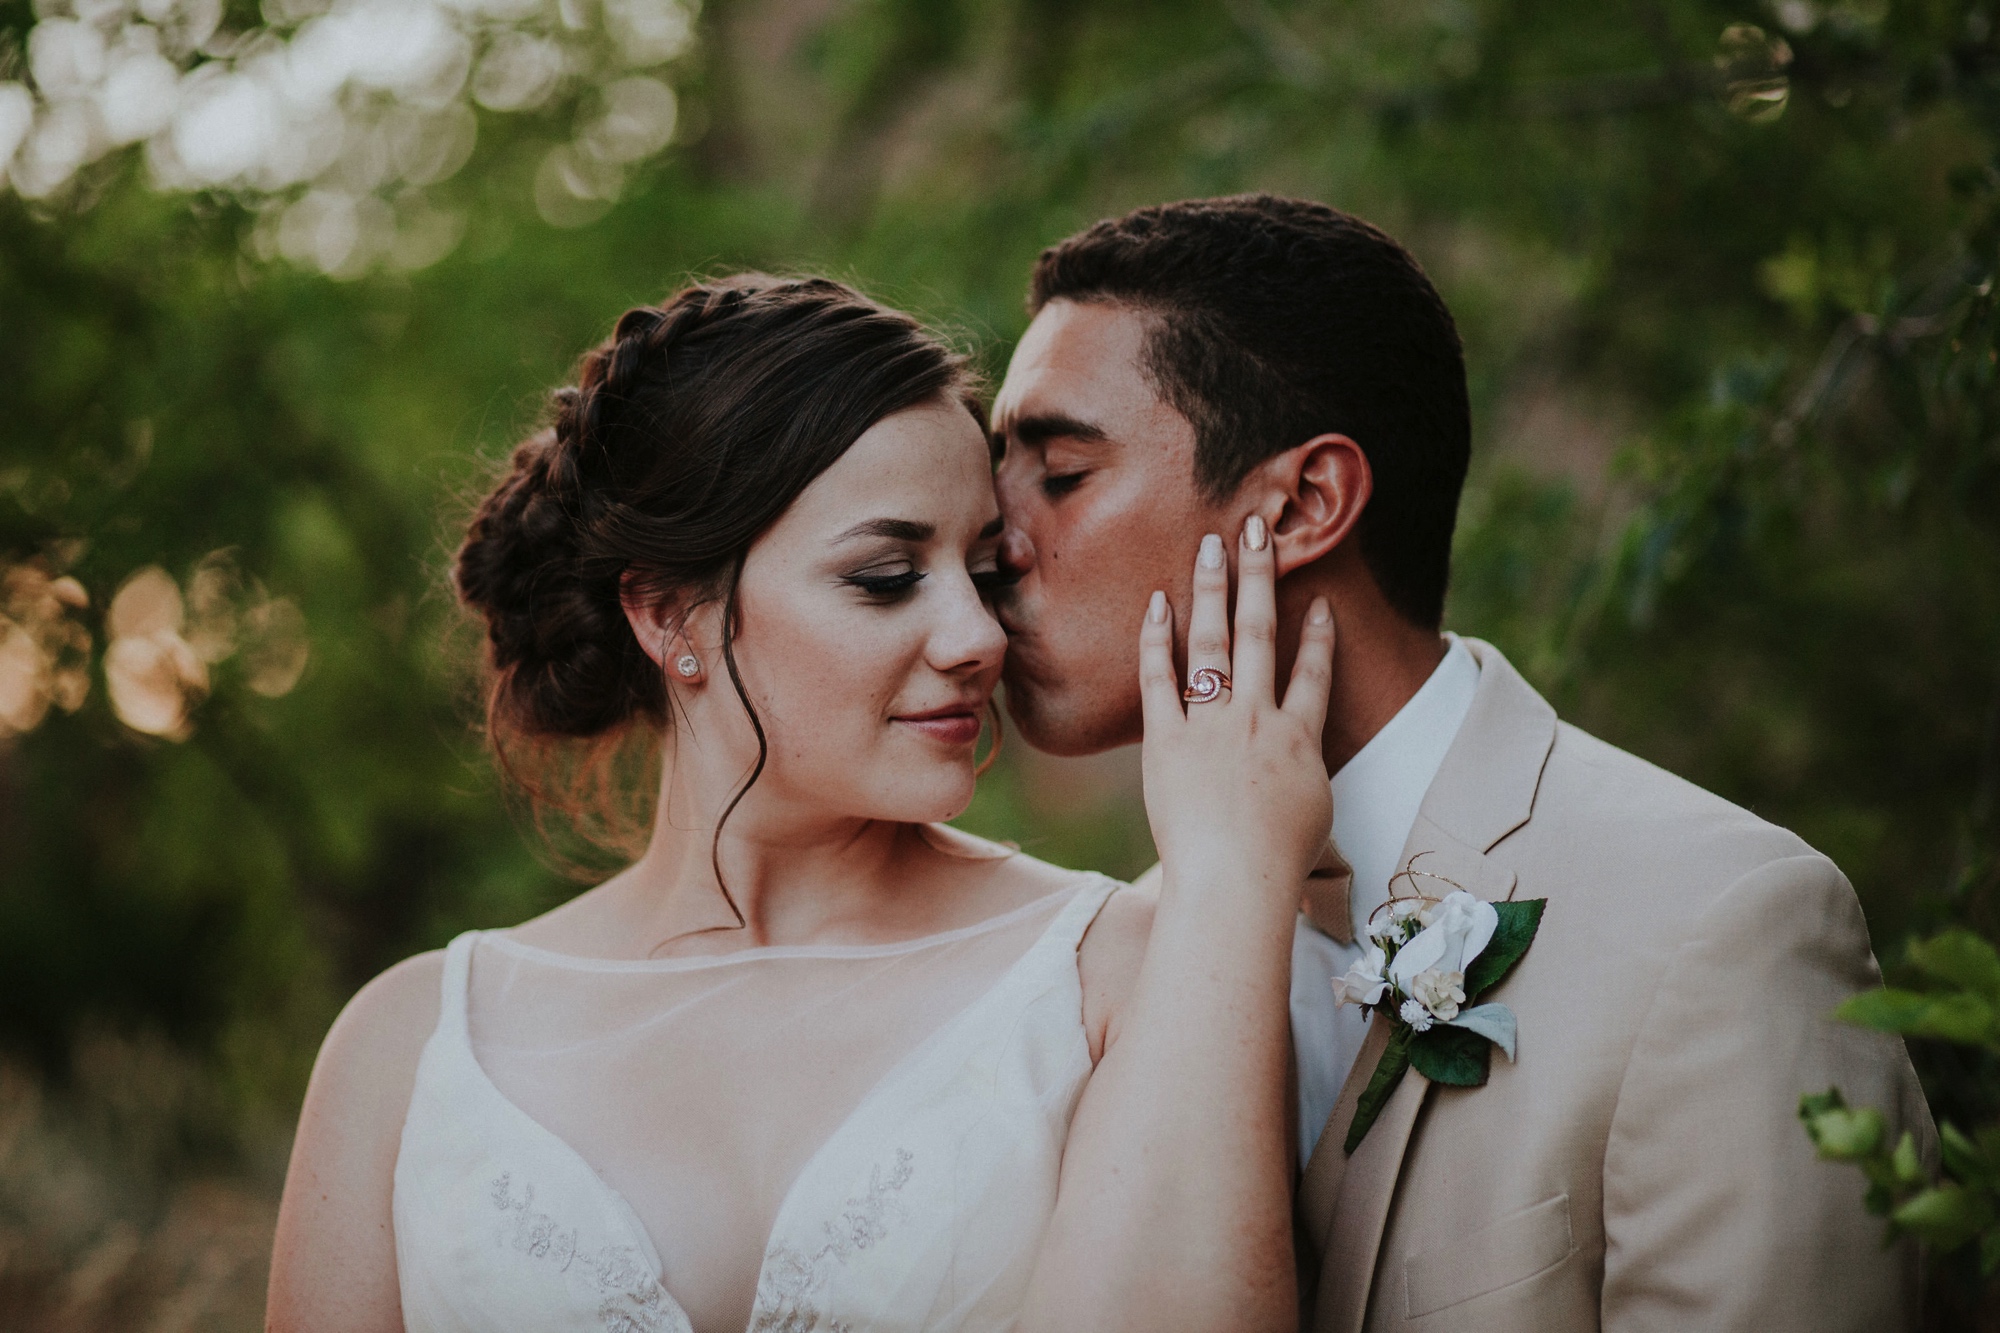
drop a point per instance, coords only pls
(865, 637)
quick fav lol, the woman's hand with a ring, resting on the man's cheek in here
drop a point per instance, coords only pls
(1237, 786)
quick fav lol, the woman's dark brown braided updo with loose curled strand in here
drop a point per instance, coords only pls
(683, 439)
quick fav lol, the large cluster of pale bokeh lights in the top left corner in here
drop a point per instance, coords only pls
(339, 117)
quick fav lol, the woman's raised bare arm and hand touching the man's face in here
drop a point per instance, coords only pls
(1175, 1208)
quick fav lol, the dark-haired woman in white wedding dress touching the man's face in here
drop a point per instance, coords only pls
(815, 1060)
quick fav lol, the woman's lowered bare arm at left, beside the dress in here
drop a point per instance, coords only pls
(333, 1266)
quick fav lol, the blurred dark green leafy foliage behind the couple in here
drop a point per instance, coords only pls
(1727, 285)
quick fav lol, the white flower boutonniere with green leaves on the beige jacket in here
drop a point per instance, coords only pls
(1425, 966)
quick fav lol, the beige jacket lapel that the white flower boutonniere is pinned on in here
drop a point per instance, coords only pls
(1483, 792)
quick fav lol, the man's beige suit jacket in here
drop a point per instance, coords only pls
(1641, 1166)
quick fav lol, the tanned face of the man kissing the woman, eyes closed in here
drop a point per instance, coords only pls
(1097, 487)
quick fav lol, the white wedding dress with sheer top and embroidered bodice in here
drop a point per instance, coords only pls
(865, 1138)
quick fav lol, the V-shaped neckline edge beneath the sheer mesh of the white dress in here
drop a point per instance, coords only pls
(461, 1028)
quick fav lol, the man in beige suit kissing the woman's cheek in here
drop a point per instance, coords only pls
(1641, 1166)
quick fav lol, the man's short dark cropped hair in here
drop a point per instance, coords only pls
(1281, 319)
